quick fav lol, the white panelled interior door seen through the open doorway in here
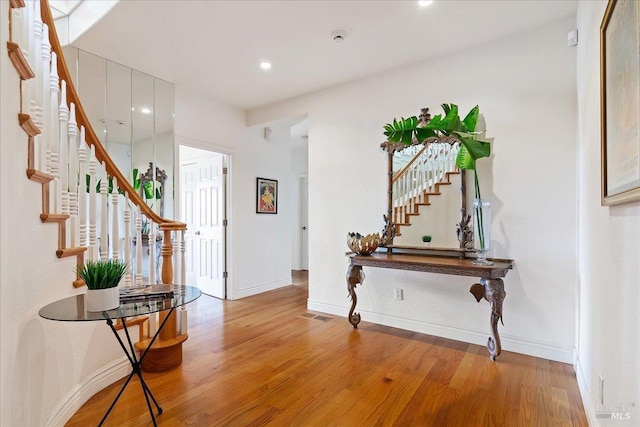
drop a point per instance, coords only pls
(203, 195)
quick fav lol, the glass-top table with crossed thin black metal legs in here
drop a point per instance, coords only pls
(73, 309)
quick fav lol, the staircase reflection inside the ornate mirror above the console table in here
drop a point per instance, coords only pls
(430, 168)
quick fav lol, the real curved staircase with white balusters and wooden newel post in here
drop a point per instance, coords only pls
(95, 208)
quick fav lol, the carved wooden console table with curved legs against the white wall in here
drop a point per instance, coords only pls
(491, 286)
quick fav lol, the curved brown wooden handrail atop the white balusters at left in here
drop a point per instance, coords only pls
(90, 135)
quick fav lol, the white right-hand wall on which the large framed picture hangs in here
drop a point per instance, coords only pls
(609, 249)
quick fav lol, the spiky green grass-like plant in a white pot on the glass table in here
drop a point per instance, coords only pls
(102, 279)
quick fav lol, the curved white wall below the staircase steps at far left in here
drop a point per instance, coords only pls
(46, 367)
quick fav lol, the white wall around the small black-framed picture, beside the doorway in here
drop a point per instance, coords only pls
(260, 249)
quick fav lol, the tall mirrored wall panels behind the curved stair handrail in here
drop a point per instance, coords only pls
(133, 115)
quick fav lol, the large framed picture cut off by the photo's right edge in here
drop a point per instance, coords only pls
(620, 103)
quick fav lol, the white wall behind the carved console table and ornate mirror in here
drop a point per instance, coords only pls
(525, 86)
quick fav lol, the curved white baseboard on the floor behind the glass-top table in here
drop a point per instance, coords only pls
(82, 392)
